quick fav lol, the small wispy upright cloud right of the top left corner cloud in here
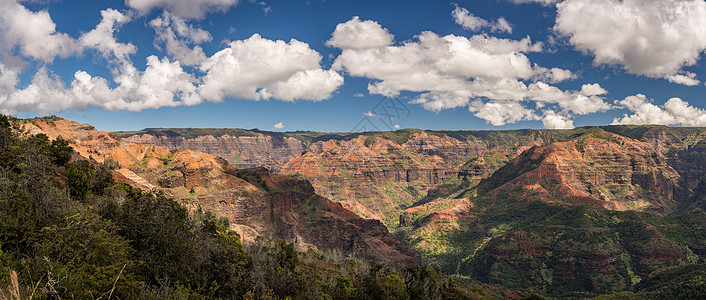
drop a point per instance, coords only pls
(102, 38)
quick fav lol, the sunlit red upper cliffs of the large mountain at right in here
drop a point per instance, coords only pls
(659, 173)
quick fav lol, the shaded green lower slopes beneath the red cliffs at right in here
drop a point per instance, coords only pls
(512, 241)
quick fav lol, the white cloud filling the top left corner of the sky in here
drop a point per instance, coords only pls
(34, 33)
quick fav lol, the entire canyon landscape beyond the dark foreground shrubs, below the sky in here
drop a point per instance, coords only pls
(570, 213)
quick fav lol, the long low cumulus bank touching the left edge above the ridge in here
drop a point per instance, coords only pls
(162, 83)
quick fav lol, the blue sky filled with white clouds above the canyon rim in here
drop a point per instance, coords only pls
(353, 65)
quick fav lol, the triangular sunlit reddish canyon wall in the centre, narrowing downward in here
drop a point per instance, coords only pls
(378, 177)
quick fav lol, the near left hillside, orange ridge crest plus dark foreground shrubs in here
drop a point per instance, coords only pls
(69, 230)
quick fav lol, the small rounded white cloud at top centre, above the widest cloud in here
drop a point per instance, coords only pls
(357, 34)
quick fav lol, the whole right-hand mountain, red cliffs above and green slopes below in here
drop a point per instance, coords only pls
(560, 218)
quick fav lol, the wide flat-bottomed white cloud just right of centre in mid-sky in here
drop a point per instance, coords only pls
(439, 63)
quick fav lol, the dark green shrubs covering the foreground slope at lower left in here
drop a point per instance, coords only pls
(67, 231)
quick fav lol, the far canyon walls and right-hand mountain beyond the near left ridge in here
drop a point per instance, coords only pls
(560, 212)
